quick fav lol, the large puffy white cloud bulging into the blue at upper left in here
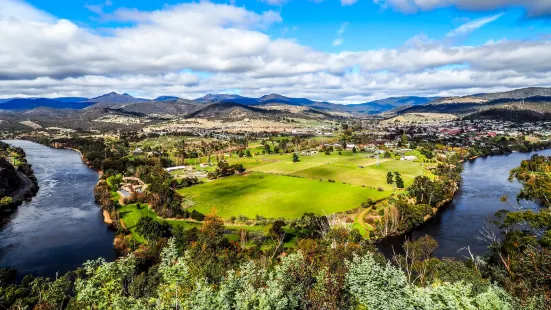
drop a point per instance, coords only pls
(222, 38)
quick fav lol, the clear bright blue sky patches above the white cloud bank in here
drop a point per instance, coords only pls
(315, 24)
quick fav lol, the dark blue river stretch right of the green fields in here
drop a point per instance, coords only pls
(458, 224)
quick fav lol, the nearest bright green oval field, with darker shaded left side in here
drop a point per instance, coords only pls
(276, 196)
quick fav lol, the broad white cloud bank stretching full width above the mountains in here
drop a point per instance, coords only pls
(222, 47)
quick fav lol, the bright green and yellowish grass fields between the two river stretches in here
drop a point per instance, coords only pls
(276, 187)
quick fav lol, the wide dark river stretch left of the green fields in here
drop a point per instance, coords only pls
(62, 227)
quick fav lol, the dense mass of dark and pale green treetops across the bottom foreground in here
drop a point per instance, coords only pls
(201, 269)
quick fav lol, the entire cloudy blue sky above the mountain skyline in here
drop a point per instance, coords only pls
(343, 51)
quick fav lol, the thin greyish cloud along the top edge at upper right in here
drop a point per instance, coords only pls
(534, 8)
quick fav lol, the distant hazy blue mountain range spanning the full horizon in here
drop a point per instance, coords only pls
(534, 101)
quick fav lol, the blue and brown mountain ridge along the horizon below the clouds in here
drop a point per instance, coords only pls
(538, 97)
